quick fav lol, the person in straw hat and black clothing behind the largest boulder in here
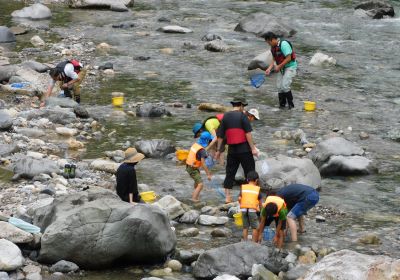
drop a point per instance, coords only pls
(127, 188)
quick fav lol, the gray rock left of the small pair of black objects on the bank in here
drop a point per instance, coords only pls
(27, 167)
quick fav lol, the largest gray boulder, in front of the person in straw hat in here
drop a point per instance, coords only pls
(95, 230)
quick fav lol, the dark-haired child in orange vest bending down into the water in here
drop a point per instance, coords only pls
(274, 208)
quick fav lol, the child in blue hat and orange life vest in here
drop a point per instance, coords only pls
(195, 160)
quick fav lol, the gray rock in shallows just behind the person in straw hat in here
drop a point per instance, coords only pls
(155, 148)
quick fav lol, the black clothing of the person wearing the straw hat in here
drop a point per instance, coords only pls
(126, 182)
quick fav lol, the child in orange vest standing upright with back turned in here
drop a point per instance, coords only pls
(250, 202)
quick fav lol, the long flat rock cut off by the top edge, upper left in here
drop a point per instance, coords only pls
(114, 5)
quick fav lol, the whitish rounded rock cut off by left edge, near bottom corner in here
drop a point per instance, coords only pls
(10, 256)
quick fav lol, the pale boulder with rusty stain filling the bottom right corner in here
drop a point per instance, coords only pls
(347, 264)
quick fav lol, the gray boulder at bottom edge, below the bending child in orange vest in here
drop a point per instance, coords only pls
(236, 259)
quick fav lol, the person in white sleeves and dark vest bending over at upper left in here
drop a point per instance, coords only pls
(69, 74)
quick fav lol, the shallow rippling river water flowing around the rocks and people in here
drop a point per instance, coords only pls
(359, 94)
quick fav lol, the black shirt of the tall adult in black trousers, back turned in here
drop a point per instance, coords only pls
(235, 119)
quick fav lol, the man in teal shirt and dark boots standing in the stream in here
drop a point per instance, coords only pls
(285, 64)
